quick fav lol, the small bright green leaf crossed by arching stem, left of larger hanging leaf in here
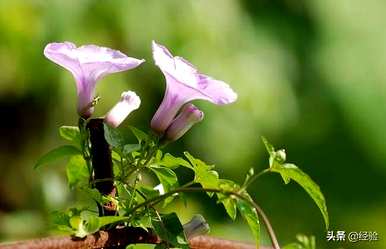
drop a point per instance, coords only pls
(229, 202)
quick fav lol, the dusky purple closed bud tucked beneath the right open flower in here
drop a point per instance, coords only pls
(188, 116)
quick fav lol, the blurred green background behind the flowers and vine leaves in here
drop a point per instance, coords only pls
(310, 77)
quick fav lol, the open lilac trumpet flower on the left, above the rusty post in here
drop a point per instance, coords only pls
(88, 64)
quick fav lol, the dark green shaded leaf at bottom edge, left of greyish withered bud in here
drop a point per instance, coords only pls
(170, 229)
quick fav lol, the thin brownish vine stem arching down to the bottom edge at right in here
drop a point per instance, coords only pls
(258, 209)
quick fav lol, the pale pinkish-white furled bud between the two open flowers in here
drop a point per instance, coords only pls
(128, 103)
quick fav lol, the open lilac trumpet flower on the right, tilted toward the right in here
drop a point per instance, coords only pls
(183, 84)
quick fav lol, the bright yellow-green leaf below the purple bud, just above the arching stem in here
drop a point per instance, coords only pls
(204, 174)
